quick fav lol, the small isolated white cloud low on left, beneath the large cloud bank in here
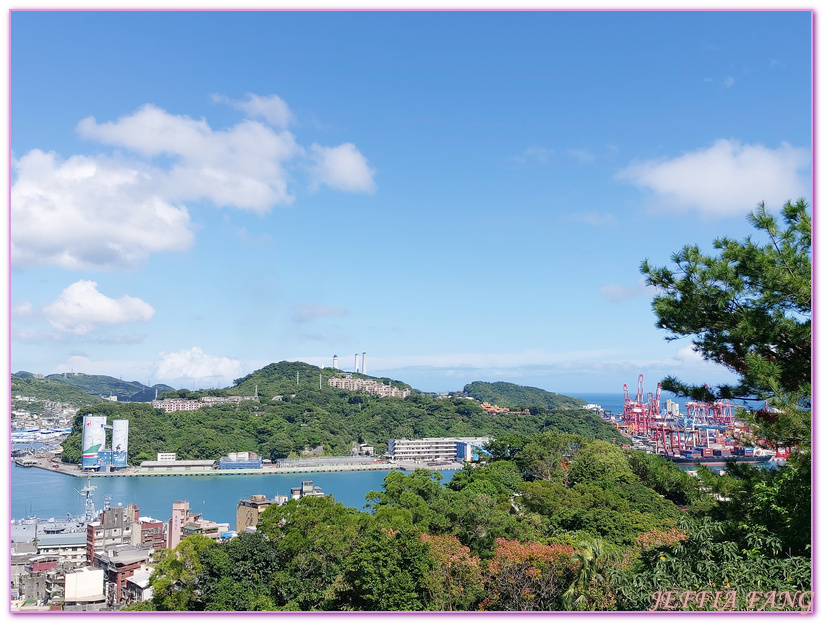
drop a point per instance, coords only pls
(80, 308)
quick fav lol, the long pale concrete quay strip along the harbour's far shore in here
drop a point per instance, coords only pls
(75, 472)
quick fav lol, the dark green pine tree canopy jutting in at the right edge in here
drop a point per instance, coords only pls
(748, 308)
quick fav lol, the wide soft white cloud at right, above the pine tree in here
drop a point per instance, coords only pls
(726, 179)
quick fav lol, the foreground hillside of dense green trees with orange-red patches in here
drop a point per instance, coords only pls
(550, 521)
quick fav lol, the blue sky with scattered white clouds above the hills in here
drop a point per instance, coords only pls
(462, 195)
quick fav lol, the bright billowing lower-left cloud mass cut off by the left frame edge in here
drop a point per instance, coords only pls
(89, 213)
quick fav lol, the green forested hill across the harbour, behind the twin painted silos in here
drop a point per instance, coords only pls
(311, 414)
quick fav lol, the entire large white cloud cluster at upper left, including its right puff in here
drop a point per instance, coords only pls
(104, 212)
